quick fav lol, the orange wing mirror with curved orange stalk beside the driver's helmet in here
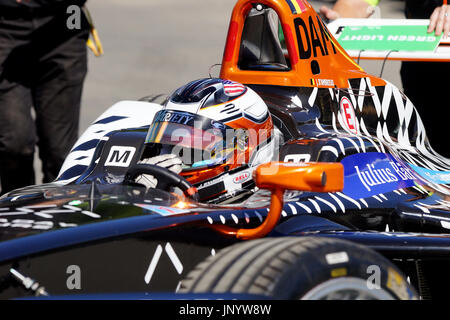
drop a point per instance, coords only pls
(281, 176)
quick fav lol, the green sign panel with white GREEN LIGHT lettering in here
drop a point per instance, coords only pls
(386, 38)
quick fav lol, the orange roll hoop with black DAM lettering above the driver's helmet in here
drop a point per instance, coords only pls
(302, 28)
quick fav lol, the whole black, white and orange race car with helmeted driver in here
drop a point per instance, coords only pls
(351, 203)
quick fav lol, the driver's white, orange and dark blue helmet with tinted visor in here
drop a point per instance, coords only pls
(220, 129)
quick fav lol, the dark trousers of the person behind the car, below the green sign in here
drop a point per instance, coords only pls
(426, 85)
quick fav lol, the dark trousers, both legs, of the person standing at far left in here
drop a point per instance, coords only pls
(42, 66)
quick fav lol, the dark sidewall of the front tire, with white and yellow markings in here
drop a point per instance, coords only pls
(314, 267)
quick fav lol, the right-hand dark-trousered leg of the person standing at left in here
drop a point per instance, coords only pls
(58, 90)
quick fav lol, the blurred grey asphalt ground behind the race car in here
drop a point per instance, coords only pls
(155, 46)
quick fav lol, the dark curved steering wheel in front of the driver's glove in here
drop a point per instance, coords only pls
(166, 179)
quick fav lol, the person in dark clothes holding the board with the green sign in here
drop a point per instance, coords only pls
(423, 82)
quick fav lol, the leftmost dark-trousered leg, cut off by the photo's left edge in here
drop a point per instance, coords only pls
(17, 130)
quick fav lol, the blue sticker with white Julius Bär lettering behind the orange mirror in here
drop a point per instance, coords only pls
(368, 174)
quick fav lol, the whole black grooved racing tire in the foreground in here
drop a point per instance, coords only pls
(299, 268)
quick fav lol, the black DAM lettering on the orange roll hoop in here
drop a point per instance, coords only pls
(313, 38)
